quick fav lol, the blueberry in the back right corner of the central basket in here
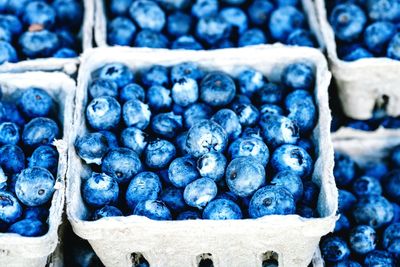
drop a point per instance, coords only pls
(298, 76)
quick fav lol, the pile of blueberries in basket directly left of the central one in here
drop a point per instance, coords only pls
(28, 162)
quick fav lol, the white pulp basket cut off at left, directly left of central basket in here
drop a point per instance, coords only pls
(16, 250)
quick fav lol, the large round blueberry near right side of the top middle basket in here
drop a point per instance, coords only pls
(284, 20)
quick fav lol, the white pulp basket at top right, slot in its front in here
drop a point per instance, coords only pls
(364, 83)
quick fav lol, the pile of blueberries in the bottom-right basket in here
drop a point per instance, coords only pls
(368, 230)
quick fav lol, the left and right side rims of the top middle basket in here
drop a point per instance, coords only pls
(100, 31)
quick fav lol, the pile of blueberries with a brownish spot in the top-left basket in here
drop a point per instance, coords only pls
(39, 28)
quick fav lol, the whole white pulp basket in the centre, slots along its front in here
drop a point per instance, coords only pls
(291, 239)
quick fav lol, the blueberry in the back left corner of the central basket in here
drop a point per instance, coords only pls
(116, 72)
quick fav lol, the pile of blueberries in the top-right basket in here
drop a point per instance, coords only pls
(366, 28)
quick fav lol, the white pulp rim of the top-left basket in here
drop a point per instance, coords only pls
(67, 65)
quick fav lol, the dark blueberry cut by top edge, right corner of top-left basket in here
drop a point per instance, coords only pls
(69, 12)
